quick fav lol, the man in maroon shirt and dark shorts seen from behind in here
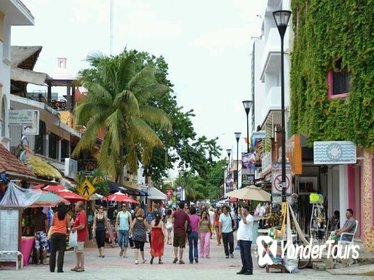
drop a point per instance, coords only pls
(180, 222)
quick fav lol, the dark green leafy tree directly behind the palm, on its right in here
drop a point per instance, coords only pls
(181, 144)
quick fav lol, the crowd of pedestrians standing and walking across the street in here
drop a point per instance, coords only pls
(177, 227)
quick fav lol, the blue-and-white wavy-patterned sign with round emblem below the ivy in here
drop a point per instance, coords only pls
(334, 152)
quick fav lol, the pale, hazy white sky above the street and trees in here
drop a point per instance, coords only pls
(206, 44)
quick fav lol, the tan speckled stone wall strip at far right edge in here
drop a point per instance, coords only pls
(367, 199)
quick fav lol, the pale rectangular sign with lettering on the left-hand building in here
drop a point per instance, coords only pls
(28, 119)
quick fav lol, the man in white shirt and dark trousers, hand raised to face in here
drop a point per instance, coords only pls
(244, 236)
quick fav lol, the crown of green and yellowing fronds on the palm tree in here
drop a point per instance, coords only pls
(119, 88)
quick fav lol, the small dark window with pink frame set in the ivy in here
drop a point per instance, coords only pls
(339, 83)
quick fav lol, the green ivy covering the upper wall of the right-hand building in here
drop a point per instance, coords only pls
(327, 31)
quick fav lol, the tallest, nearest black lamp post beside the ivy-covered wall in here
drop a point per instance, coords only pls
(281, 20)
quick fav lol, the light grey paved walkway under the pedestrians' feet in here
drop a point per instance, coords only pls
(114, 267)
